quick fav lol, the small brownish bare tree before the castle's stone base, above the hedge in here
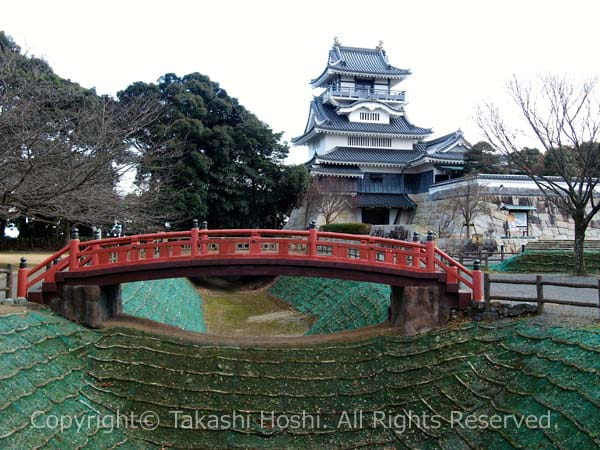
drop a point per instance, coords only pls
(329, 197)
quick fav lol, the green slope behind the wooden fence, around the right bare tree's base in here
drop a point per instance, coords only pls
(536, 261)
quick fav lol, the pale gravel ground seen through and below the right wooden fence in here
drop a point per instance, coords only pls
(559, 314)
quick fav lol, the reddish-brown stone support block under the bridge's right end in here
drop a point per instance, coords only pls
(418, 309)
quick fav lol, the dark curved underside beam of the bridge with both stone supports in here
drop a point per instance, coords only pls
(420, 301)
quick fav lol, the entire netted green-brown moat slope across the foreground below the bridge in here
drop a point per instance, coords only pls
(520, 368)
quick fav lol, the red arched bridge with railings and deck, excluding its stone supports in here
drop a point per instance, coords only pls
(202, 252)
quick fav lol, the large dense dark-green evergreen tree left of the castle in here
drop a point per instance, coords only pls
(223, 163)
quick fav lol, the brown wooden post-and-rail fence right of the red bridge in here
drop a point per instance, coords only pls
(539, 284)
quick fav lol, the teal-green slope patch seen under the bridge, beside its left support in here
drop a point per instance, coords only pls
(174, 301)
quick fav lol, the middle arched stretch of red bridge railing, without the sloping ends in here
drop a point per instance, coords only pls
(218, 244)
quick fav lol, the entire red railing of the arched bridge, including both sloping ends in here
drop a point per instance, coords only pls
(245, 243)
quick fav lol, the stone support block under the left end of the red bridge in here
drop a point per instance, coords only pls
(89, 305)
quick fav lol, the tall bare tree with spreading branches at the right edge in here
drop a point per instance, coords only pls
(564, 117)
